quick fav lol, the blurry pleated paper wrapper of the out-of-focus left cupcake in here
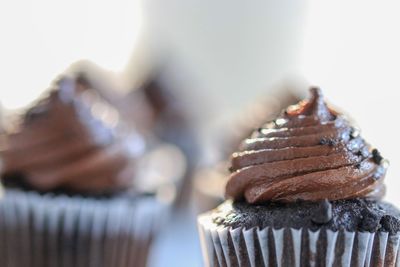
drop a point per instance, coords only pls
(49, 230)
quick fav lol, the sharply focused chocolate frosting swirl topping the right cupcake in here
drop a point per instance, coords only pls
(311, 153)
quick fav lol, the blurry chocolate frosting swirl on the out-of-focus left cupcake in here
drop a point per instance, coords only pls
(73, 139)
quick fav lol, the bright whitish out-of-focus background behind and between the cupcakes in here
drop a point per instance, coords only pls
(222, 54)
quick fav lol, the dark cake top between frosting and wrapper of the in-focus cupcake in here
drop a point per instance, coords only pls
(351, 215)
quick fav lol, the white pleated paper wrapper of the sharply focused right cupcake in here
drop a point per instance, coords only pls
(222, 246)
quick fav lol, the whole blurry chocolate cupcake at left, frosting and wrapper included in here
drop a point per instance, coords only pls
(71, 167)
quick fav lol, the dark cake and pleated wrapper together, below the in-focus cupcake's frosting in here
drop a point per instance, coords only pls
(348, 233)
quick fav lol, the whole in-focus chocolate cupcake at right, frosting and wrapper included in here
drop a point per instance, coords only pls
(305, 190)
